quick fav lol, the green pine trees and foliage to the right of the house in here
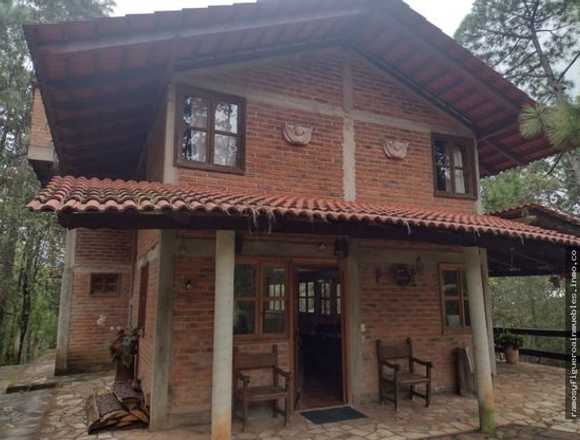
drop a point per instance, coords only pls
(533, 43)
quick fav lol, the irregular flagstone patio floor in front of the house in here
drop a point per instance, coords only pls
(530, 405)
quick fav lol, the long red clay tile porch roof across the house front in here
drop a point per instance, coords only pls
(82, 195)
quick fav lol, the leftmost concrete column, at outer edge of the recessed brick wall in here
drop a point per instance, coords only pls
(64, 308)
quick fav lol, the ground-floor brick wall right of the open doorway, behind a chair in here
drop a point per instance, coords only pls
(393, 313)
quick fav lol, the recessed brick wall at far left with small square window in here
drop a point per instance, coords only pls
(98, 251)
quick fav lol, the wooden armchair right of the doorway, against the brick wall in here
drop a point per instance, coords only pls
(394, 374)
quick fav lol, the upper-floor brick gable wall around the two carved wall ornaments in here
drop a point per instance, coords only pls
(316, 79)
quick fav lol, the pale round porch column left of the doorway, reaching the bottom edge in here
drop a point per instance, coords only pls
(223, 338)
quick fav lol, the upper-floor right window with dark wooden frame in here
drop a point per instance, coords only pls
(453, 167)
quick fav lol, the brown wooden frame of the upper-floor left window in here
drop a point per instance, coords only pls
(181, 93)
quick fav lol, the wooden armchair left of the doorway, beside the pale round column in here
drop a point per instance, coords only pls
(244, 393)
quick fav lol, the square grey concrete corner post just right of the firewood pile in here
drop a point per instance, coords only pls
(162, 347)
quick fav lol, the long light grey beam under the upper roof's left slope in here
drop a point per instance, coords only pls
(107, 42)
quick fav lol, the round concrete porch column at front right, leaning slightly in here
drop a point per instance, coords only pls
(484, 380)
